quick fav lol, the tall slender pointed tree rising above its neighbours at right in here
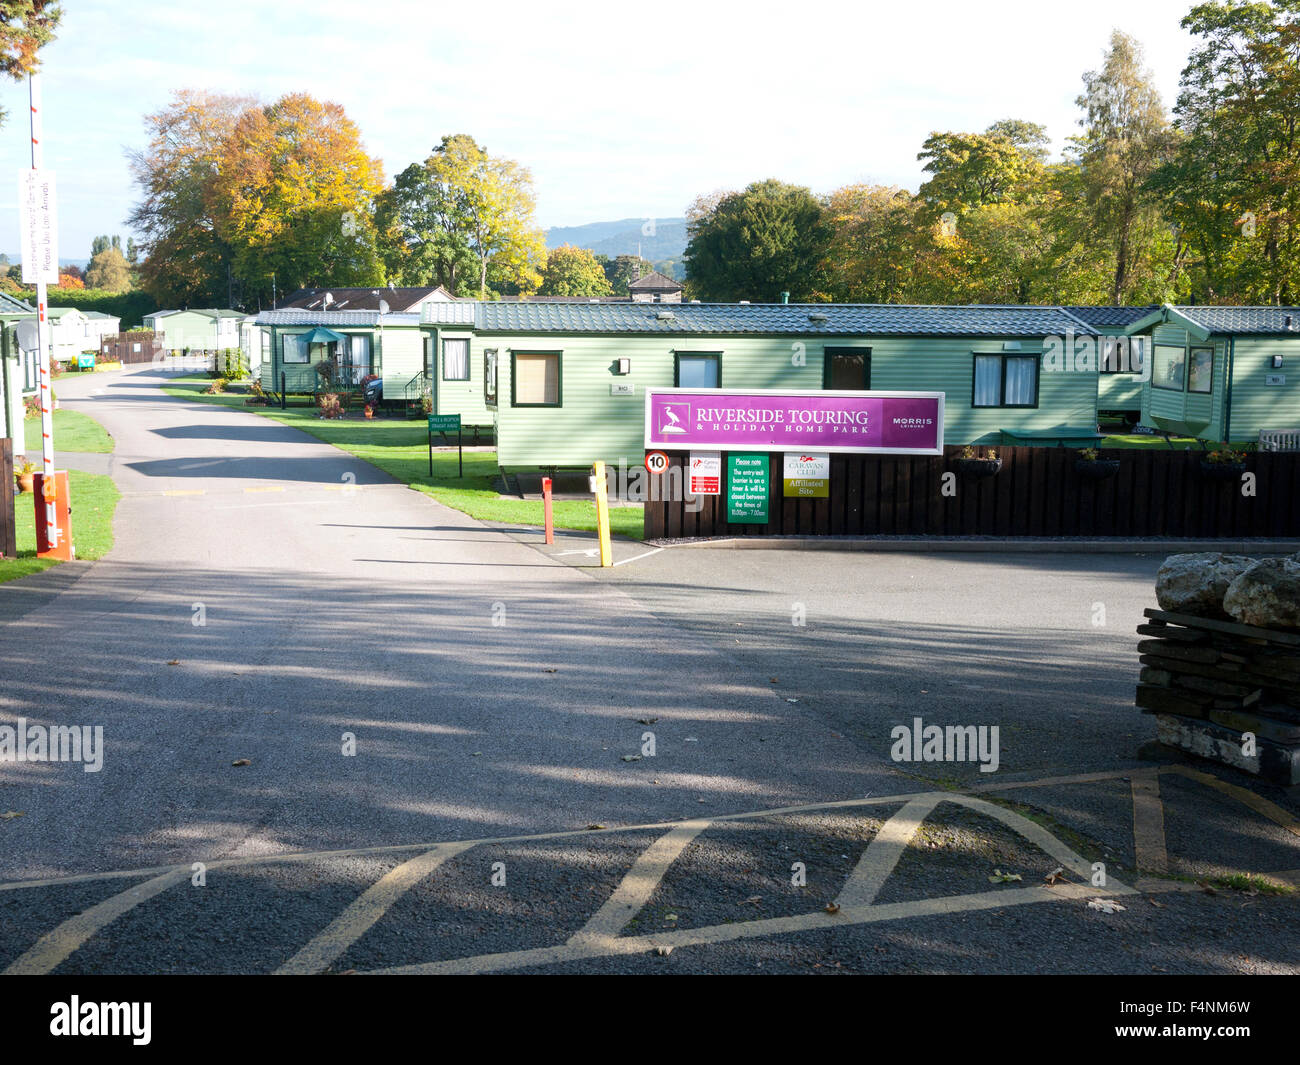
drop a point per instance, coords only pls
(1125, 141)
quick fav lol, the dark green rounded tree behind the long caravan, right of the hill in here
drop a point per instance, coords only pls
(757, 245)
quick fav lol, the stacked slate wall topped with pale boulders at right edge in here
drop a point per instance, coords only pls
(1220, 689)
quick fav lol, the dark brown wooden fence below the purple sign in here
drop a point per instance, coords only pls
(1038, 492)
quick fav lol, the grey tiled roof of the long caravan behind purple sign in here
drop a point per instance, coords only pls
(781, 319)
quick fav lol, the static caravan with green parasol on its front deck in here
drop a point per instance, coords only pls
(359, 344)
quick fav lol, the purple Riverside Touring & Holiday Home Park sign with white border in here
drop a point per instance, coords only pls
(890, 423)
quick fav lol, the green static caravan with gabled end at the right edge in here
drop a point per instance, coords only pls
(1224, 374)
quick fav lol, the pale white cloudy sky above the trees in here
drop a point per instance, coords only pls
(619, 110)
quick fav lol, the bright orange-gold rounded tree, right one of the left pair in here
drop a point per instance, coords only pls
(293, 197)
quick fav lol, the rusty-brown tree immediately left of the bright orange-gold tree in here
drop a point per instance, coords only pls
(187, 262)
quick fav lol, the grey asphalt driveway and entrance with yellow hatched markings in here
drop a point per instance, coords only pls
(271, 598)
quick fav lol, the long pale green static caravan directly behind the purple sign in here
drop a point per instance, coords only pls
(566, 382)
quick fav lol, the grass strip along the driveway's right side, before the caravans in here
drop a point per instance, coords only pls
(400, 448)
